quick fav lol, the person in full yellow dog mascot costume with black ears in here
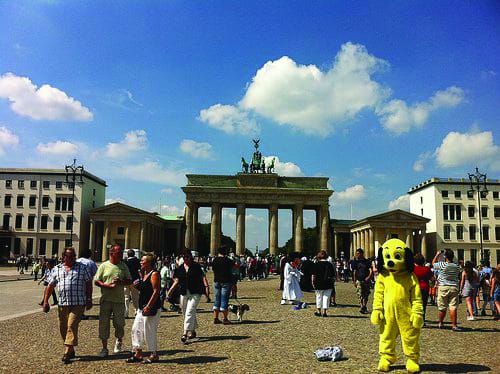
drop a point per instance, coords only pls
(397, 305)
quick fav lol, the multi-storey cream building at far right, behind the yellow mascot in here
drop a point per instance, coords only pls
(455, 215)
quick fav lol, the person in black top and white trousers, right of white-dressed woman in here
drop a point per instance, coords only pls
(322, 280)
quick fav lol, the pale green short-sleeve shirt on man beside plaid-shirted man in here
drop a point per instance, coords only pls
(106, 273)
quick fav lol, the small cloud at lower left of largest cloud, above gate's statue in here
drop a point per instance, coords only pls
(230, 119)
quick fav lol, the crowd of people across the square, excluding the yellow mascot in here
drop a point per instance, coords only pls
(149, 283)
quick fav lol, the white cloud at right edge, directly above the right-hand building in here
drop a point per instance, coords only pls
(468, 149)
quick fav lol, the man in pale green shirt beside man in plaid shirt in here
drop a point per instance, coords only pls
(111, 276)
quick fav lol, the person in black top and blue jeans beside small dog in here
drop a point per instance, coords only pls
(222, 267)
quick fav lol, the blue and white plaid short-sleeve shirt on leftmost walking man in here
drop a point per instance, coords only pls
(71, 285)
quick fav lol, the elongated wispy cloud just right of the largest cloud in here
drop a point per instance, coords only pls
(398, 118)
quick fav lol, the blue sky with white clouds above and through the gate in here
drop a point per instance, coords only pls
(378, 96)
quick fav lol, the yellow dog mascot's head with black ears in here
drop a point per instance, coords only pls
(394, 257)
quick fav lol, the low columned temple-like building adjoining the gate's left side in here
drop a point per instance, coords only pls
(133, 228)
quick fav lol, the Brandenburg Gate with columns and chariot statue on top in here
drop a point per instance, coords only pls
(260, 188)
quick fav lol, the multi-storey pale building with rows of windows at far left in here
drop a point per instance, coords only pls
(36, 211)
